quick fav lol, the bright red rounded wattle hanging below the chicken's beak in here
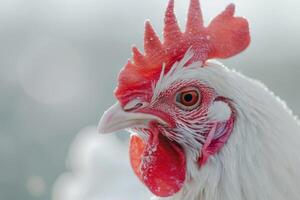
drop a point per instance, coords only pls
(160, 164)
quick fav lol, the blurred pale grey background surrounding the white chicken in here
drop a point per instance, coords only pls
(59, 60)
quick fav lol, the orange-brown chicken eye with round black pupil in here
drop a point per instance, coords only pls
(188, 99)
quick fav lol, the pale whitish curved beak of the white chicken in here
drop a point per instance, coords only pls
(115, 118)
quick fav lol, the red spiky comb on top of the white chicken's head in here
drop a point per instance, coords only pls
(224, 37)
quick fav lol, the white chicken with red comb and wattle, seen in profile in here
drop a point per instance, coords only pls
(201, 131)
